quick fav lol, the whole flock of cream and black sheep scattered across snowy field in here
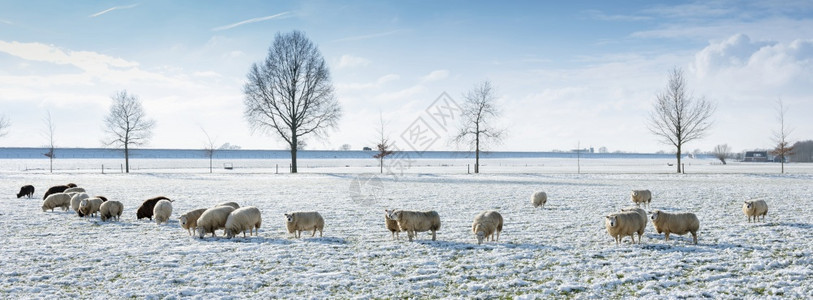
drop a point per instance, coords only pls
(487, 225)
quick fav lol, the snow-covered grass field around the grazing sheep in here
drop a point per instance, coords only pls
(562, 251)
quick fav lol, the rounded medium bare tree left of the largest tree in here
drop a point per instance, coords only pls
(127, 124)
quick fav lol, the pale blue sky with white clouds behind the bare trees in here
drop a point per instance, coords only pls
(581, 72)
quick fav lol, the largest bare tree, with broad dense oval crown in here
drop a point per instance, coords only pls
(290, 93)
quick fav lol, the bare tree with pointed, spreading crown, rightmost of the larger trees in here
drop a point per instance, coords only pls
(678, 117)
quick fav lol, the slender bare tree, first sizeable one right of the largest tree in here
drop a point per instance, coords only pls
(477, 114)
